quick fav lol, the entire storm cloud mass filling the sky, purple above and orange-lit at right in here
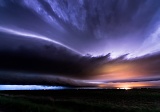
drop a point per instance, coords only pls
(78, 42)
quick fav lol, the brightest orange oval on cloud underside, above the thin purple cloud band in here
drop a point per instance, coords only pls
(120, 71)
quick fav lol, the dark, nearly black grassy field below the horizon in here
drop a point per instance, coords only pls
(136, 100)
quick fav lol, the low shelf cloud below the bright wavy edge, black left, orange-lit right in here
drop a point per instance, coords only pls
(44, 63)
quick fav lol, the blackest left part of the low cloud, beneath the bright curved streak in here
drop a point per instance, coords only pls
(35, 56)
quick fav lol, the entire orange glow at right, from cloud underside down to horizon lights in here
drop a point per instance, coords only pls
(120, 74)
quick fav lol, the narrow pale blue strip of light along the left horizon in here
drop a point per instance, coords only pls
(30, 87)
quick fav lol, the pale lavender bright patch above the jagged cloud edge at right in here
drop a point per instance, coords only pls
(150, 45)
